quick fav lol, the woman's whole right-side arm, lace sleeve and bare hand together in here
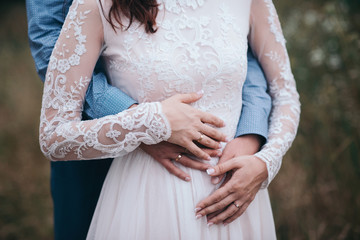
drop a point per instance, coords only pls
(268, 43)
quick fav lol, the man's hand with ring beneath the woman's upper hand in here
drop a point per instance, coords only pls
(166, 153)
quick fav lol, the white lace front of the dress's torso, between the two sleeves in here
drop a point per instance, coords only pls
(188, 53)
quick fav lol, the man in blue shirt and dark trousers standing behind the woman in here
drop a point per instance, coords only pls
(76, 185)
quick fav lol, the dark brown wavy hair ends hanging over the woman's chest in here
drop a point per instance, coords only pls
(145, 11)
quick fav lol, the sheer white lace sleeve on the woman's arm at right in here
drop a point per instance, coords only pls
(268, 43)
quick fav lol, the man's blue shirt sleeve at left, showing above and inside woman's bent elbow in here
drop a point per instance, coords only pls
(45, 20)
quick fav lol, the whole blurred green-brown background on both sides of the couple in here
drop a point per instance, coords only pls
(316, 195)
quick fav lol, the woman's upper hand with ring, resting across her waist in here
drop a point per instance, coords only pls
(189, 124)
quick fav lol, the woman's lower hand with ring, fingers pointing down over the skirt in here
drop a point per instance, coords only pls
(246, 173)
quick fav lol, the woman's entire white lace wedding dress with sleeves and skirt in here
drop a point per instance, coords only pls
(199, 45)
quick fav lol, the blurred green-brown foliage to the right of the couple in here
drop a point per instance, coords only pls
(318, 182)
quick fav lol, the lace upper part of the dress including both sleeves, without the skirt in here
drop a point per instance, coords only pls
(199, 45)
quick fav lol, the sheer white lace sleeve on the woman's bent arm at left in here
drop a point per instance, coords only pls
(63, 136)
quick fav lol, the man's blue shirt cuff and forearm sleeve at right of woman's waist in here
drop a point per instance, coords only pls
(256, 101)
